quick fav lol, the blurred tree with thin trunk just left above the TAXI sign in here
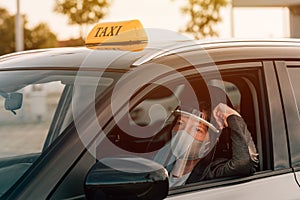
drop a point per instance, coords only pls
(82, 12)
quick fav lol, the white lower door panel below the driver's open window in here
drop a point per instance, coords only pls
(275, 188)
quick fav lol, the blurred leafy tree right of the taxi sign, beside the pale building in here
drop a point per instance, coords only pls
(203, 14)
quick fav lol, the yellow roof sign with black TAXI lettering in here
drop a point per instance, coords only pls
(122, 35)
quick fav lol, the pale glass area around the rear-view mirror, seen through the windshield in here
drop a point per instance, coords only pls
(25, 131)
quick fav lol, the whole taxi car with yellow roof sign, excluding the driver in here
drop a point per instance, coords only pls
(86, 122)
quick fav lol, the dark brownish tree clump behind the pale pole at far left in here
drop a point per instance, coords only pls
(38, 37)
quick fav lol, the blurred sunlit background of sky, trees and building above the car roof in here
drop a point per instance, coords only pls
(34, 24)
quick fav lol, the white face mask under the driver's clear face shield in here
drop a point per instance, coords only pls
(180, 143)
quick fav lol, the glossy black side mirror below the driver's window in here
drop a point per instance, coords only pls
(126, 178)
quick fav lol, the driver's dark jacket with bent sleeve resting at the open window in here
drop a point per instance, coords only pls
(244, 158)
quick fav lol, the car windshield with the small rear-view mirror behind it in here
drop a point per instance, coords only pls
(35, 107)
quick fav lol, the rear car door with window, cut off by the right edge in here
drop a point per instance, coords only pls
(288, 77)
